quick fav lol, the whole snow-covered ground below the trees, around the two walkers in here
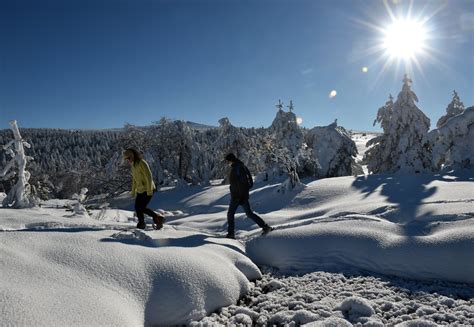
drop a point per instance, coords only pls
(367, 250)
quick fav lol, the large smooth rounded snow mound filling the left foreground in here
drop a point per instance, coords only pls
(127, 279)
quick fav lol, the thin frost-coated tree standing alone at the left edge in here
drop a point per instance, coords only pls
(19, 195)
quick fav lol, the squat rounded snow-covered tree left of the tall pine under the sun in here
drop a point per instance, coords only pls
(334, 150)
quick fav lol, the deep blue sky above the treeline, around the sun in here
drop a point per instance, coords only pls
(100, 64)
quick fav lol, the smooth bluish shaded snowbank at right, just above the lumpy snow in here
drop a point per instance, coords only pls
(444, 251)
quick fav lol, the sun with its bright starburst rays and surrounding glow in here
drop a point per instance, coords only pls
(405, 40)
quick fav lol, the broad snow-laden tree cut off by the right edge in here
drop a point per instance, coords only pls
(453, 142)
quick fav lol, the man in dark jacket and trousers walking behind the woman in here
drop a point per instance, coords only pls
(240, 184)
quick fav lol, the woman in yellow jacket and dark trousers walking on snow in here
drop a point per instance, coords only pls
(143, 188)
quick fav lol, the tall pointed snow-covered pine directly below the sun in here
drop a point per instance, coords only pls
(404, 144)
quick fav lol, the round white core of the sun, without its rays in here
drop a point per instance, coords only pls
(404, 39)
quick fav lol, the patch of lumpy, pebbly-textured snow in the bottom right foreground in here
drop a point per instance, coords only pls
(323, 294)
